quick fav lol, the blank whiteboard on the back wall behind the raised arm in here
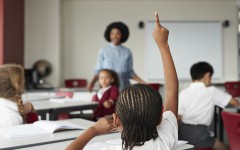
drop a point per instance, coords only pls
(189, 42)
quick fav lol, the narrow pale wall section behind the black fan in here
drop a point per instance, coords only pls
(42, 35)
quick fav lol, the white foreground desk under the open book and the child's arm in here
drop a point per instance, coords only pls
(59, 140)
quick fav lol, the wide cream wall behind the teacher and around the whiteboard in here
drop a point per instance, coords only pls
(84, 21)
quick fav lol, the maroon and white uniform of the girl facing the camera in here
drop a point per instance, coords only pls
(108, 93)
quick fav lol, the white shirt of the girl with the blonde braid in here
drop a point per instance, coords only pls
(9, 114)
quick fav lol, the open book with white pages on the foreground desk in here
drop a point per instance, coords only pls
(37, 128)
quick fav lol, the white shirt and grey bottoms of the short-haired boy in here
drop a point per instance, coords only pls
(196, 105)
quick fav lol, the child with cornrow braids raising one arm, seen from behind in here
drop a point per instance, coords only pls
(138, 115)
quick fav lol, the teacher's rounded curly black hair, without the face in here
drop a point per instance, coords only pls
(120, 26)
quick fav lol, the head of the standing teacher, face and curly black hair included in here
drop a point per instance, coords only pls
(117, 33)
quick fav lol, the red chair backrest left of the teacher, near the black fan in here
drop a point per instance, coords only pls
(76, 83)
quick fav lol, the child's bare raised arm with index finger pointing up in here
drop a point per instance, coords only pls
(160, 35)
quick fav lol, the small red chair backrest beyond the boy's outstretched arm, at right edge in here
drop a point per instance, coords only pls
(233, 88)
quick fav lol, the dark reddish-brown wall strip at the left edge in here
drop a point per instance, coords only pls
(11, 31)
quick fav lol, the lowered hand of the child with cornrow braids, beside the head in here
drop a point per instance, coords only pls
(104, 125)
